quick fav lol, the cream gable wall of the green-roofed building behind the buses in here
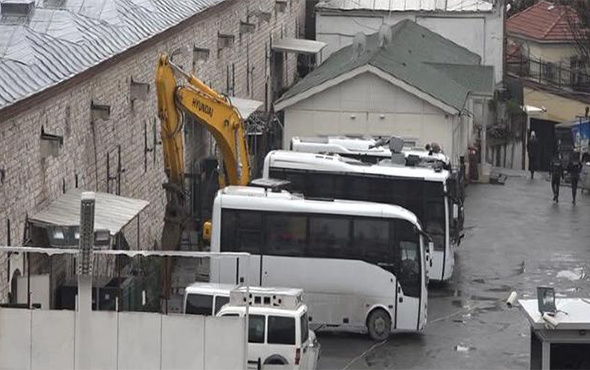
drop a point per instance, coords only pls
(368, 105)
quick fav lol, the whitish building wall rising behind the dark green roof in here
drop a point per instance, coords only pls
(481, 33)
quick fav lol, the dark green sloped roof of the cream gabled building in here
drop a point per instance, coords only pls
(408, 56)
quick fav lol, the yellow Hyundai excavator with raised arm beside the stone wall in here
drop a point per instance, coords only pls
(213, 110)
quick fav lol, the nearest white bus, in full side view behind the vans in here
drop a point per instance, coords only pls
(360, 264)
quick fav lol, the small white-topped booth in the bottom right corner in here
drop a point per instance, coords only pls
(562, 342)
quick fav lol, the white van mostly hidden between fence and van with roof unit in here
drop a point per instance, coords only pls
(206, 298)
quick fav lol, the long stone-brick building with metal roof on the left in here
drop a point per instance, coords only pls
(77, 99)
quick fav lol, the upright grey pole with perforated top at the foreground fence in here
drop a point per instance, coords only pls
(83, 350)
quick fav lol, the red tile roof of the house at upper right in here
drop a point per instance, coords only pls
(543, 21)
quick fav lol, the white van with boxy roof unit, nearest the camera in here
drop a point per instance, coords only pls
(278, 331)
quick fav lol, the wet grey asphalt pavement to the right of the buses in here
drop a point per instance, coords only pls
(516, 239)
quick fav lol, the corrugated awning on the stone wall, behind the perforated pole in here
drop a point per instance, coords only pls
(112, 212)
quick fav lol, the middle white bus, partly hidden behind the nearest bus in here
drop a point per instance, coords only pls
(423, 191)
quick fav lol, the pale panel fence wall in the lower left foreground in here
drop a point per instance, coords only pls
(40, 339)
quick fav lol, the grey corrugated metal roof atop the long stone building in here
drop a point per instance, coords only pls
(58, 40)
